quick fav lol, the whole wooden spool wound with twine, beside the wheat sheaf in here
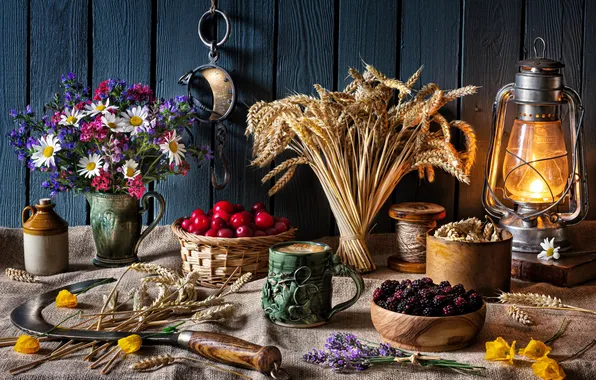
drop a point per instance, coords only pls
(413, 221)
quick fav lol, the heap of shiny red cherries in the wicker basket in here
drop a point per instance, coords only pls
(227, 220)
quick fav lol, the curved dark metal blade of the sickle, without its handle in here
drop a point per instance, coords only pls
(28, 318)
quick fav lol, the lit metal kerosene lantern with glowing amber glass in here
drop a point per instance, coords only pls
(536, 174)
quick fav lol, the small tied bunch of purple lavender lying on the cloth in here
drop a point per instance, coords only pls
(345, 352)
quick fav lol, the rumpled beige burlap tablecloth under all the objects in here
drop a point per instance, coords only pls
(162, 248)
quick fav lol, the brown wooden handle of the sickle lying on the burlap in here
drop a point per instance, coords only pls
(233, 351)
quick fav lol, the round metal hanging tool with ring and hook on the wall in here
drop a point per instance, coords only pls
(211, 90)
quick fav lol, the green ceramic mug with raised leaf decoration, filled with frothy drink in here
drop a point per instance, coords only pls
(298, 289)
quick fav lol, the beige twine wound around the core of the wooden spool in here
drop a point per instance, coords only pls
(411, 240)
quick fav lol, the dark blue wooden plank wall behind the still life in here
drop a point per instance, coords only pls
(276, 48)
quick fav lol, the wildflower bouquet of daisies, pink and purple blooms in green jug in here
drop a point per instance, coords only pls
(115, 142)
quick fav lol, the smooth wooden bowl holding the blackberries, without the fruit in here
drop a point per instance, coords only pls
(427, 334)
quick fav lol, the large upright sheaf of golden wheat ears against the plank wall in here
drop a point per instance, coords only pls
(359, 146)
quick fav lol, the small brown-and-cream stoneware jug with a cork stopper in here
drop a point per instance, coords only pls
(45, 239)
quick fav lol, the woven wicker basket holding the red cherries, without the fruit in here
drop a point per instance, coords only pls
(216, 259)
